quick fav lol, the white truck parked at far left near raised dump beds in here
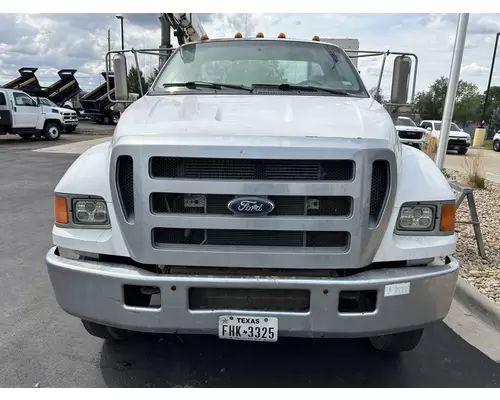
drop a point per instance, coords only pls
(21, 115)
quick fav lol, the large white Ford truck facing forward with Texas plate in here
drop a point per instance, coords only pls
(276, 200)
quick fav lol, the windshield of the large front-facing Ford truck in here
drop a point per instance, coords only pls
(254, 62)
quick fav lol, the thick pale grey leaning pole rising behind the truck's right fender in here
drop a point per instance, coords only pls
(449, 104)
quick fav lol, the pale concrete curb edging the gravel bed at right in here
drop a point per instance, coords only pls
(475, 301)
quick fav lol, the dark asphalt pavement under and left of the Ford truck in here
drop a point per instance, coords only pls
(42, 346)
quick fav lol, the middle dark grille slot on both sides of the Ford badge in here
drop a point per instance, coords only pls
(217, 204)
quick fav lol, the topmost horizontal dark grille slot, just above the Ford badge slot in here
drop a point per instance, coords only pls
(228, 169)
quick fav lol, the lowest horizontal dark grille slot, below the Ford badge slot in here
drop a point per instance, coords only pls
(244, 237)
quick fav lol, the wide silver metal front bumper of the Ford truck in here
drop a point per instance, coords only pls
(94, 291)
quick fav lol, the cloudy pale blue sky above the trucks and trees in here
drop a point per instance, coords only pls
(51, 42)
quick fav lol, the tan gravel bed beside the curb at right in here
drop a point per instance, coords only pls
(483, 274)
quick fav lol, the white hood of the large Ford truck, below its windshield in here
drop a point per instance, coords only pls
(256, 115)
